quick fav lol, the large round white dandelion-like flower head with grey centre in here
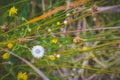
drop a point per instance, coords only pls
(38, 51)
